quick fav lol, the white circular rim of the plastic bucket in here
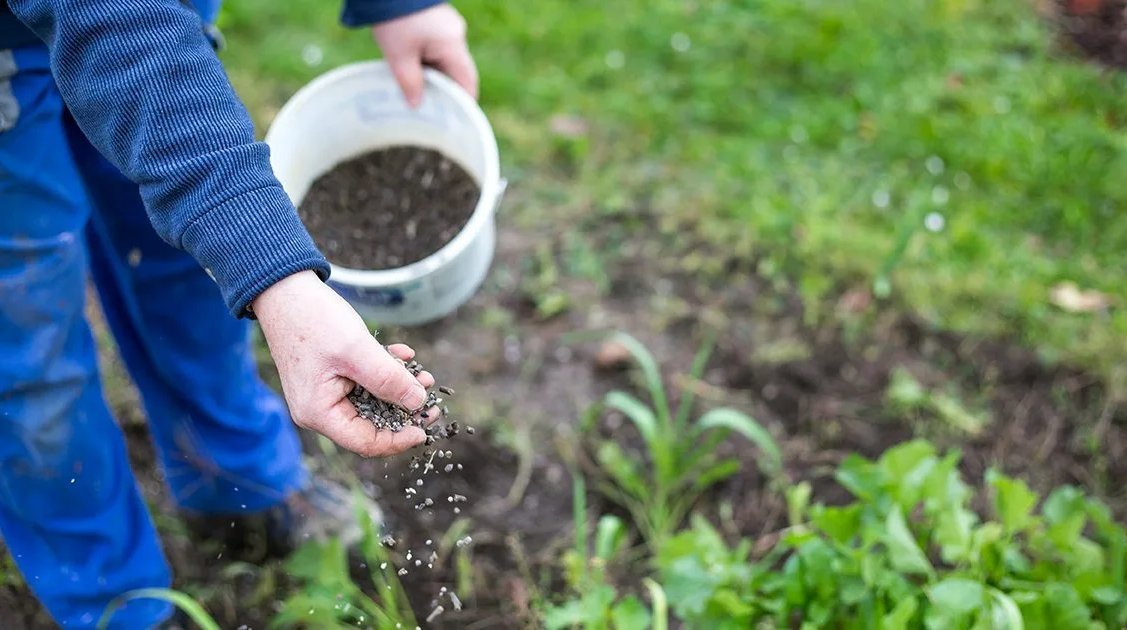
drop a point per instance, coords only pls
(492, 185)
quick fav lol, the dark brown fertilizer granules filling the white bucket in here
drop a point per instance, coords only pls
(389, 208)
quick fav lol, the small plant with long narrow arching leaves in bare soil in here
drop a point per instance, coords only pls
(681, 462)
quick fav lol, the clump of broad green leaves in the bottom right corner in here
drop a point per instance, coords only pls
(910, 553)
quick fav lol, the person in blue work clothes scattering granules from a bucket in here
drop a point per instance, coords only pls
(127, 159)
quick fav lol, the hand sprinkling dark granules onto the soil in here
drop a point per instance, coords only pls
(323, 349)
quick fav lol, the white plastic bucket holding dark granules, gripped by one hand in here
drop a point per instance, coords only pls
(358, 109)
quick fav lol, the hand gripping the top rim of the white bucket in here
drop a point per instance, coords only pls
(434, 37)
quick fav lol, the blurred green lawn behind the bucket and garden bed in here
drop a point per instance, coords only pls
(815, 134)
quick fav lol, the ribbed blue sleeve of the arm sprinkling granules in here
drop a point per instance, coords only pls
(146, 87)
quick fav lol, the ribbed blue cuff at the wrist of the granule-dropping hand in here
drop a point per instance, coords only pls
(252, 242)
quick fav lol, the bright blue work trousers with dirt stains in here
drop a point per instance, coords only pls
(70, 510)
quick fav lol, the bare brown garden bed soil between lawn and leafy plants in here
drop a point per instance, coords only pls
(526, 380)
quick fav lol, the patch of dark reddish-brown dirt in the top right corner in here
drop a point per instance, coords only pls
(1097, 28)
